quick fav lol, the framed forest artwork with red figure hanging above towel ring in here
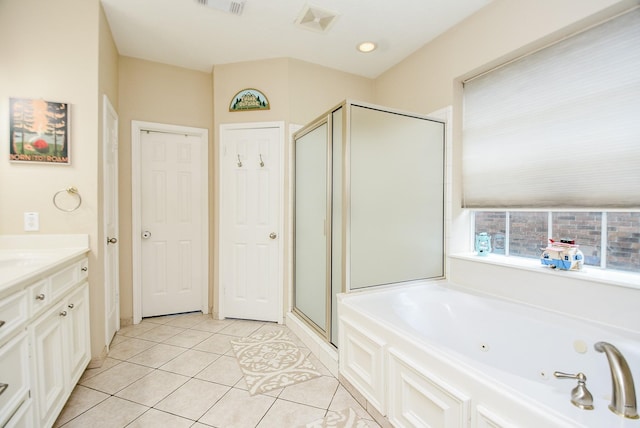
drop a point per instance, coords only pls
(39, 131)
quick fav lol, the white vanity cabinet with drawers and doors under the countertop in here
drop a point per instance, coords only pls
(44, 339)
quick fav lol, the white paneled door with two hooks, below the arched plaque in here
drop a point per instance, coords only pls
(251, 185)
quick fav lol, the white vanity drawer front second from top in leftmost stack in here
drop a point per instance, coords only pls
(14, 375)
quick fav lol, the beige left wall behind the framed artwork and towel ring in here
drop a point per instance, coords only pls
(49, 50)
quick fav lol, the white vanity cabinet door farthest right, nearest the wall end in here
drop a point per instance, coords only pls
(77, 330)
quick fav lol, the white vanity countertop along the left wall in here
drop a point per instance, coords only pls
(25, 258)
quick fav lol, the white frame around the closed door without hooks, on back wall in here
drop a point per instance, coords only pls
(136, 206)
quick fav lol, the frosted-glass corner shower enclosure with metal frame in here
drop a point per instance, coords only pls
(369, 206)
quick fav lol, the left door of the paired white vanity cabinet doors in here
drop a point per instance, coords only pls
(49, 365)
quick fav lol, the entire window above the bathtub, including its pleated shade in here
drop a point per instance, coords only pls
(550, 147)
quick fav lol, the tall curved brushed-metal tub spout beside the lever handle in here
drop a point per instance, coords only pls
(623, 397)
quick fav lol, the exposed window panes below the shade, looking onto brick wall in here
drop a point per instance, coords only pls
(526, 233)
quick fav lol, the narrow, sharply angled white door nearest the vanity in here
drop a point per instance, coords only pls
(110, 191)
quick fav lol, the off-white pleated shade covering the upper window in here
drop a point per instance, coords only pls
(559, 128)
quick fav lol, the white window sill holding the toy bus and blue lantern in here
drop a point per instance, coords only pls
(588, 273)
